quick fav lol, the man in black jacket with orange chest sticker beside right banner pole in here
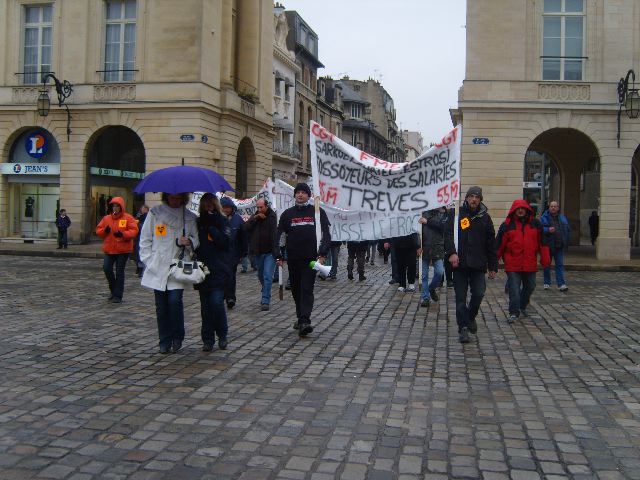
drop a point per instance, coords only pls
(470, 258)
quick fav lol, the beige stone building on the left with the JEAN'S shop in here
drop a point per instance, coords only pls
(153, 82)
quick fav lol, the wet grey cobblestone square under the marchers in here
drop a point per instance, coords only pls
(381, 390)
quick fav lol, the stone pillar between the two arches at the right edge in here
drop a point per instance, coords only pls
(613, 241)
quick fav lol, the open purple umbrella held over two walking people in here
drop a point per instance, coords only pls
(183, 178)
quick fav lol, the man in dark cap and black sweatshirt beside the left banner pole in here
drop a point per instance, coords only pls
(299, 224)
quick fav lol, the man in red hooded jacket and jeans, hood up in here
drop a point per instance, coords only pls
(519, 242)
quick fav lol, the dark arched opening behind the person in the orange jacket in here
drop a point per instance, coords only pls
(116, 161)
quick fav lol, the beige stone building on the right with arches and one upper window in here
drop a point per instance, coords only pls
(540, 117)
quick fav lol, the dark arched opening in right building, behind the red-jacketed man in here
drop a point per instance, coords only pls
(576, 180)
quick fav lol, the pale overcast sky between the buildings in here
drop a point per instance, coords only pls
(416, 48)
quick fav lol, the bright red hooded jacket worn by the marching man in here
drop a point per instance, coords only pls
(520, 241)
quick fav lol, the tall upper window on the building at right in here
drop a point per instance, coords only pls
(563, 40)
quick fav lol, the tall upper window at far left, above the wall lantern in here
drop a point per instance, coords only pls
(38, 29)
